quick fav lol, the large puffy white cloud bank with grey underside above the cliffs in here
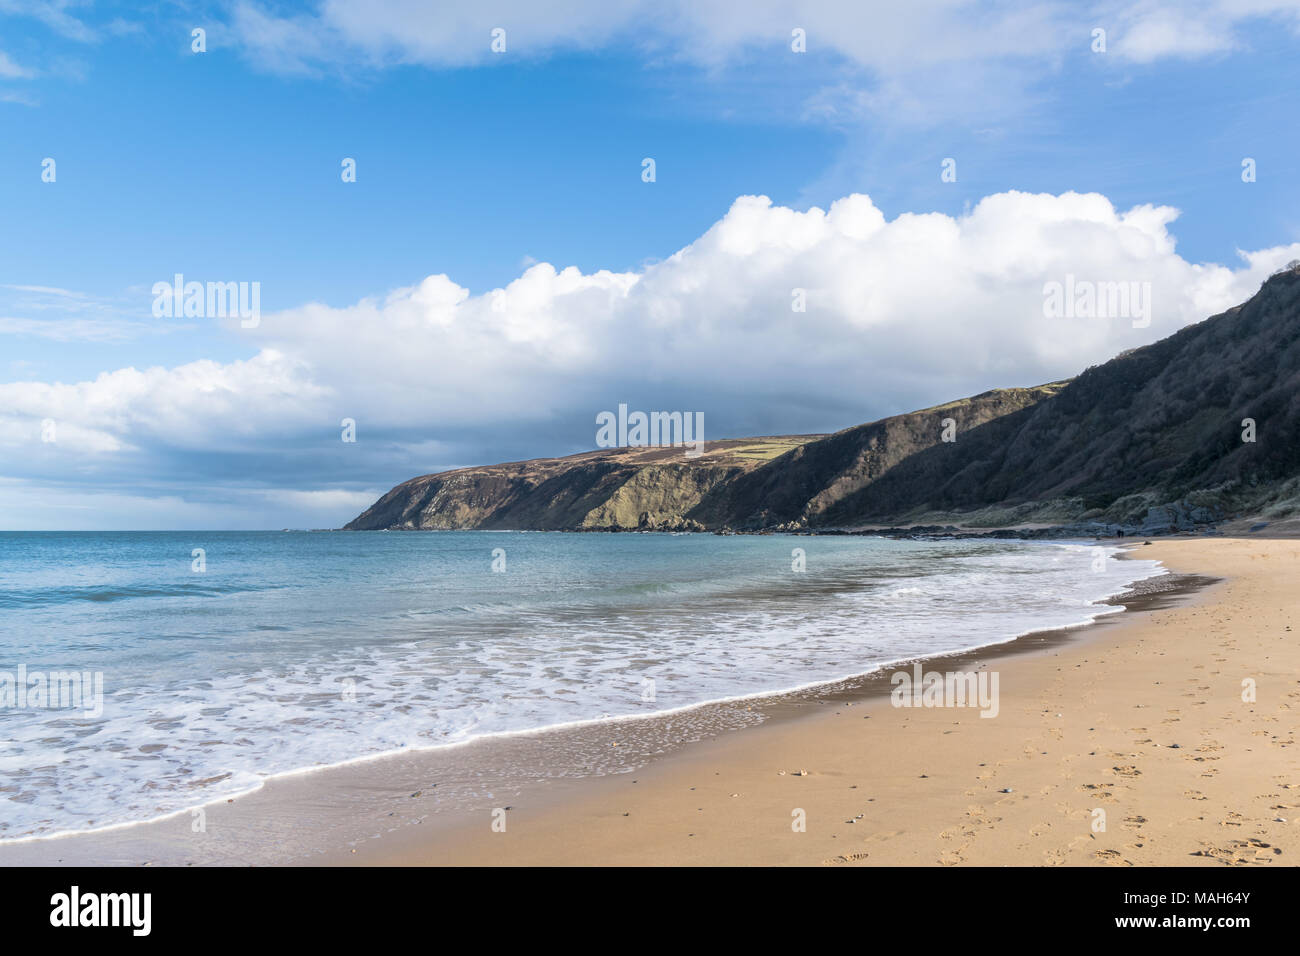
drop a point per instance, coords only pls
(900, 314)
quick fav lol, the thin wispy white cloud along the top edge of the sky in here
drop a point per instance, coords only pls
(922, 64)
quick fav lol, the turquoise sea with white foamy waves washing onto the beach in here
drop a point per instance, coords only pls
(298, 650)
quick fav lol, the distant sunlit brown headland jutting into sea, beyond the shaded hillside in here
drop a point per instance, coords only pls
(740, 483)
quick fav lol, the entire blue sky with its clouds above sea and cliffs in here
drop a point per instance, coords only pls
(224, 166)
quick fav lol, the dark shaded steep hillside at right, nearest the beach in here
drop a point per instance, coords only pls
(1163, 426)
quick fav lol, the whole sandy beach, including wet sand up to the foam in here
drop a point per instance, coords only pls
(1124, 743)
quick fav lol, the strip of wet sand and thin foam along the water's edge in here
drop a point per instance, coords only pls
(164, 840)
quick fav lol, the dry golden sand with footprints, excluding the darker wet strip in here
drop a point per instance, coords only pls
(1142, 720)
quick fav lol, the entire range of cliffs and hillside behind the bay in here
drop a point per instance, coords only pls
(1159, 427)
